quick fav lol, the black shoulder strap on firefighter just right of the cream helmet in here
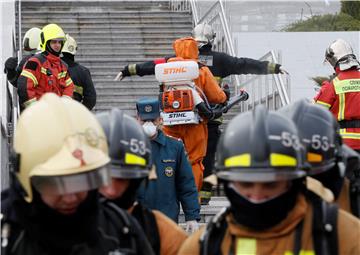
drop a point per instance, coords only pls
(147, 221)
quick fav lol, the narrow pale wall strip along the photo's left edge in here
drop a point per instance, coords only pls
(7, 27)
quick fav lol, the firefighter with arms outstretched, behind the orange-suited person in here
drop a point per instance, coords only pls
(221, 65)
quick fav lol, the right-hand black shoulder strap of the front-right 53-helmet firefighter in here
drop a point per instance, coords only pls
(325, 227)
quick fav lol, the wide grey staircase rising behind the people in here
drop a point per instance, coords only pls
(111, 35)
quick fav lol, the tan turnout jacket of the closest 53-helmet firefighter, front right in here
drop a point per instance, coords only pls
(294, 235)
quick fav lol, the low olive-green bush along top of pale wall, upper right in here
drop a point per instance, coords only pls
(328, 22)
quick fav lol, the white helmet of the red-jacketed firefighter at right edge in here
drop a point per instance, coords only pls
(340, 53)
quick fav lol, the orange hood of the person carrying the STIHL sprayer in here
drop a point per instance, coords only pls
(186, 48)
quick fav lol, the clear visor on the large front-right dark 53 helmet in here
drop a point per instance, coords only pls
(260, 175)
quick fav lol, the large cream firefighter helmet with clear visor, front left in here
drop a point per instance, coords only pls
(62, 148)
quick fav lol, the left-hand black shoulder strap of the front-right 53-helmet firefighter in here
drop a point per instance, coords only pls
(211, 239)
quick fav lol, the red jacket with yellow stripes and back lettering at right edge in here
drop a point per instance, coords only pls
(342, 97)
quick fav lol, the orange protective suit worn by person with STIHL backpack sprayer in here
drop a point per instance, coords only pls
(194, 136)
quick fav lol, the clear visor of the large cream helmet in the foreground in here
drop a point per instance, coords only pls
(66, 184)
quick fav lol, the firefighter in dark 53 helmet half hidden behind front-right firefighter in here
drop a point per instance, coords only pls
(327, 157)
